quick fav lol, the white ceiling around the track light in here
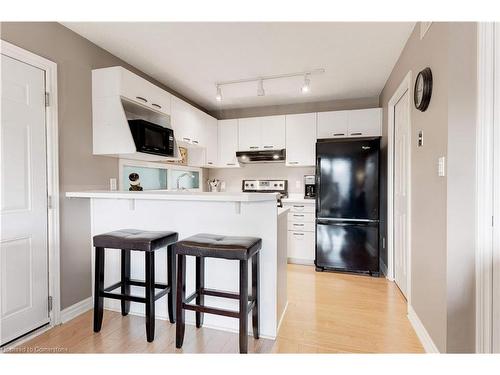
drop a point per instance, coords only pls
(191, 57)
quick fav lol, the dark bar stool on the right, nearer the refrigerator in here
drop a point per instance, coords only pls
(225, 247)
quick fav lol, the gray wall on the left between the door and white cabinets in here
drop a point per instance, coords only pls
(78, 168)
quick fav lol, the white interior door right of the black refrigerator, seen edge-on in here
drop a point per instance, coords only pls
(401, 181)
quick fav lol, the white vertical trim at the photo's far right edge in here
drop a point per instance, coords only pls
(485, 187)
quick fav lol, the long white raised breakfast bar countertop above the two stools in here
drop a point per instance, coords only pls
(174, 195)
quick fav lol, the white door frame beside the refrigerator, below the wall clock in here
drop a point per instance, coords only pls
(402, 89)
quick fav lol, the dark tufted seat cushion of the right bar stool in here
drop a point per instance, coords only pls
(218, 246)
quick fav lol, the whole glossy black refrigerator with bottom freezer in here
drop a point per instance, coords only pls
(347, 205)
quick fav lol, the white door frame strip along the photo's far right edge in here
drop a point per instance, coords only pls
(487, 178)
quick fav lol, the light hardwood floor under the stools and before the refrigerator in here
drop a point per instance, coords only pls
(327, 313)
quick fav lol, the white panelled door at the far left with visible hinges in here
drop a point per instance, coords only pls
(24, 249)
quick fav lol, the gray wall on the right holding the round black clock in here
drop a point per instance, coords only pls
(442, 261)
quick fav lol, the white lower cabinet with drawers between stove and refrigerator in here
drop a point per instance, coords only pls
(301, 233)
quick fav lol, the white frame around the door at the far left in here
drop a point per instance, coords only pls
(50, 69)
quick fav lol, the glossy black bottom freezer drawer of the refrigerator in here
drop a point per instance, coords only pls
(348, 246)
